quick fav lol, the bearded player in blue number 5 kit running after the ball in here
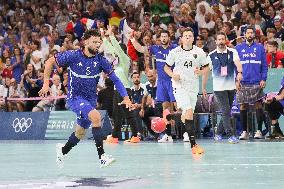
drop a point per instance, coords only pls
(84, 66)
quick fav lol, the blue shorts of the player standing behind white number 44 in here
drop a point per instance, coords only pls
(165, 91)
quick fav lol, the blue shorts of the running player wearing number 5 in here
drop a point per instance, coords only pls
(82, 108)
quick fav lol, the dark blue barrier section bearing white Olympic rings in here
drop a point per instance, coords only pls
(23, 125)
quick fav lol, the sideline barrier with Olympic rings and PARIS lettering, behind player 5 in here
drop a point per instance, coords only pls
(44, 125)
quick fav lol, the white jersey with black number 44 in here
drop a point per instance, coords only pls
(186, 61)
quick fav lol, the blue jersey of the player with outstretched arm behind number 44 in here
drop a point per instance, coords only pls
(160, 56)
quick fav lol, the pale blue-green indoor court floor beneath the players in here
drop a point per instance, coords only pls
(148, 165)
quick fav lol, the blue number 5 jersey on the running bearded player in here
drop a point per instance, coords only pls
(83, 72)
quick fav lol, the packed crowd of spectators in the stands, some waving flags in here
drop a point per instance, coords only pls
(31, 31)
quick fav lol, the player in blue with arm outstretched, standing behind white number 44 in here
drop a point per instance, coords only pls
(164, 83)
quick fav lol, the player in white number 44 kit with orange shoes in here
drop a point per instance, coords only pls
(190, 62)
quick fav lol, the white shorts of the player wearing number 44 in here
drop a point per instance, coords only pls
(185, 98)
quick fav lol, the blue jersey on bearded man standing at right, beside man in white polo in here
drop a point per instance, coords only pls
(253, 60)
